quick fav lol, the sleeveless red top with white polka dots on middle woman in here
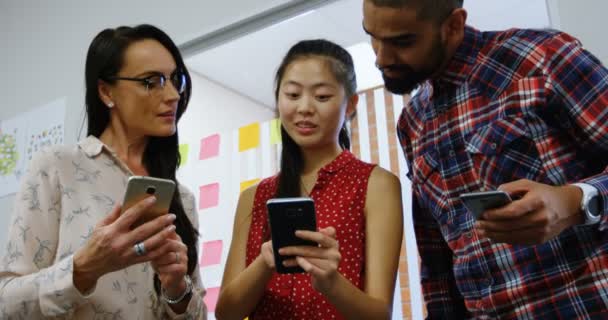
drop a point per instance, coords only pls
(339, 196)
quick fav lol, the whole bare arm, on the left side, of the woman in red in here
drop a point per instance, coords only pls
(242, 286)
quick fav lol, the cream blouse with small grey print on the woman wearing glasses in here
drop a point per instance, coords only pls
(66, 191)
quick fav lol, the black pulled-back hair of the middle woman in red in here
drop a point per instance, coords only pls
(342, 67)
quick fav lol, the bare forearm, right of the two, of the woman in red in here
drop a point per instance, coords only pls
(353, 303)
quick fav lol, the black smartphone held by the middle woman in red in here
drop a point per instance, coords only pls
(285, 216)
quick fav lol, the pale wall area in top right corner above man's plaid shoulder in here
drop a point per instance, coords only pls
(584, 19)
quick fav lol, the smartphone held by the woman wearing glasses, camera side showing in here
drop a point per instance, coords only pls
(141, 187)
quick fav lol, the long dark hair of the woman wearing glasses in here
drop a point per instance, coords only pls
(161, 158)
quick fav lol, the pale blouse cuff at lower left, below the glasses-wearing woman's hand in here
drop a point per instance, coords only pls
(58, 295)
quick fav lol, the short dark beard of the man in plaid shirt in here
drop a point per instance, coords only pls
(412, 78)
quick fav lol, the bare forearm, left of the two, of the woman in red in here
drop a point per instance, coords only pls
(239, 298)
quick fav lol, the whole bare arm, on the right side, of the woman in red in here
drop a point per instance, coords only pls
(383, 234)
